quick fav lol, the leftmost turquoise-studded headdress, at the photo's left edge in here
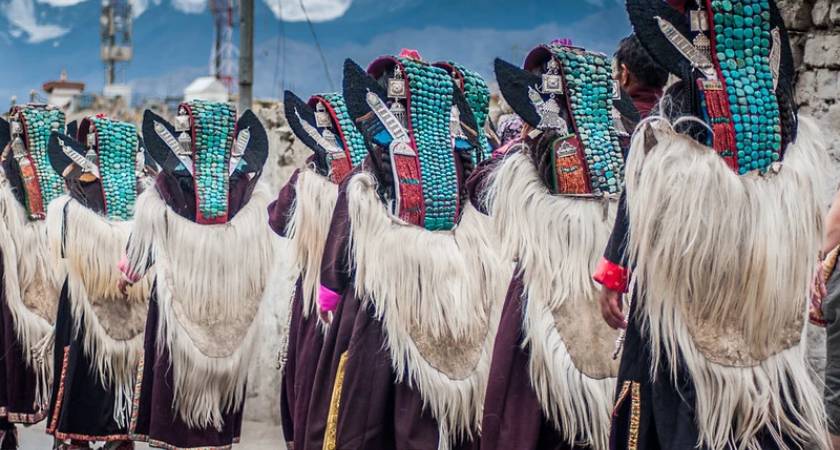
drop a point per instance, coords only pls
(30, 128)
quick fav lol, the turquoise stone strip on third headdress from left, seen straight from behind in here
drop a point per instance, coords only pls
(214, 127)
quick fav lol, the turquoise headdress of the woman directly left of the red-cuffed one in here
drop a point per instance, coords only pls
(569, 92)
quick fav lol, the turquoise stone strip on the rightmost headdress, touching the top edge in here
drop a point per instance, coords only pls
(743, 44)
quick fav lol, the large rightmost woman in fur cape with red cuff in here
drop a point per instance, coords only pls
(724, 234)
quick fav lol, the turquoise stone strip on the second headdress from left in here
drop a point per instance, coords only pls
(117, 160)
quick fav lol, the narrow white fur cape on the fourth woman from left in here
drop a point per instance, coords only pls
(308, 228)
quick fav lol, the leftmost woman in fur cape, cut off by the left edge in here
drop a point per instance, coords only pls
(29, 283)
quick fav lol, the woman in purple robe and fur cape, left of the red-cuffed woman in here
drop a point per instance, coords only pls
(553, 200)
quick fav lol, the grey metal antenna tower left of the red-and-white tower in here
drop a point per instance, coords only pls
(115, 26)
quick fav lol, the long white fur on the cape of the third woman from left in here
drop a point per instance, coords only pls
(208, 386)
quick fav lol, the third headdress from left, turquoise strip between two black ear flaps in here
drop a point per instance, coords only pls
(208, 145)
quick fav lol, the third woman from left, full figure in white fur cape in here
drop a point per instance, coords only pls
(204, 227)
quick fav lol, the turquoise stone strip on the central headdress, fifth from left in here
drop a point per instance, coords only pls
(430, 90)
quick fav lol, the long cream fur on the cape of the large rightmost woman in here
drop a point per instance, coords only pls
(754, 264)
